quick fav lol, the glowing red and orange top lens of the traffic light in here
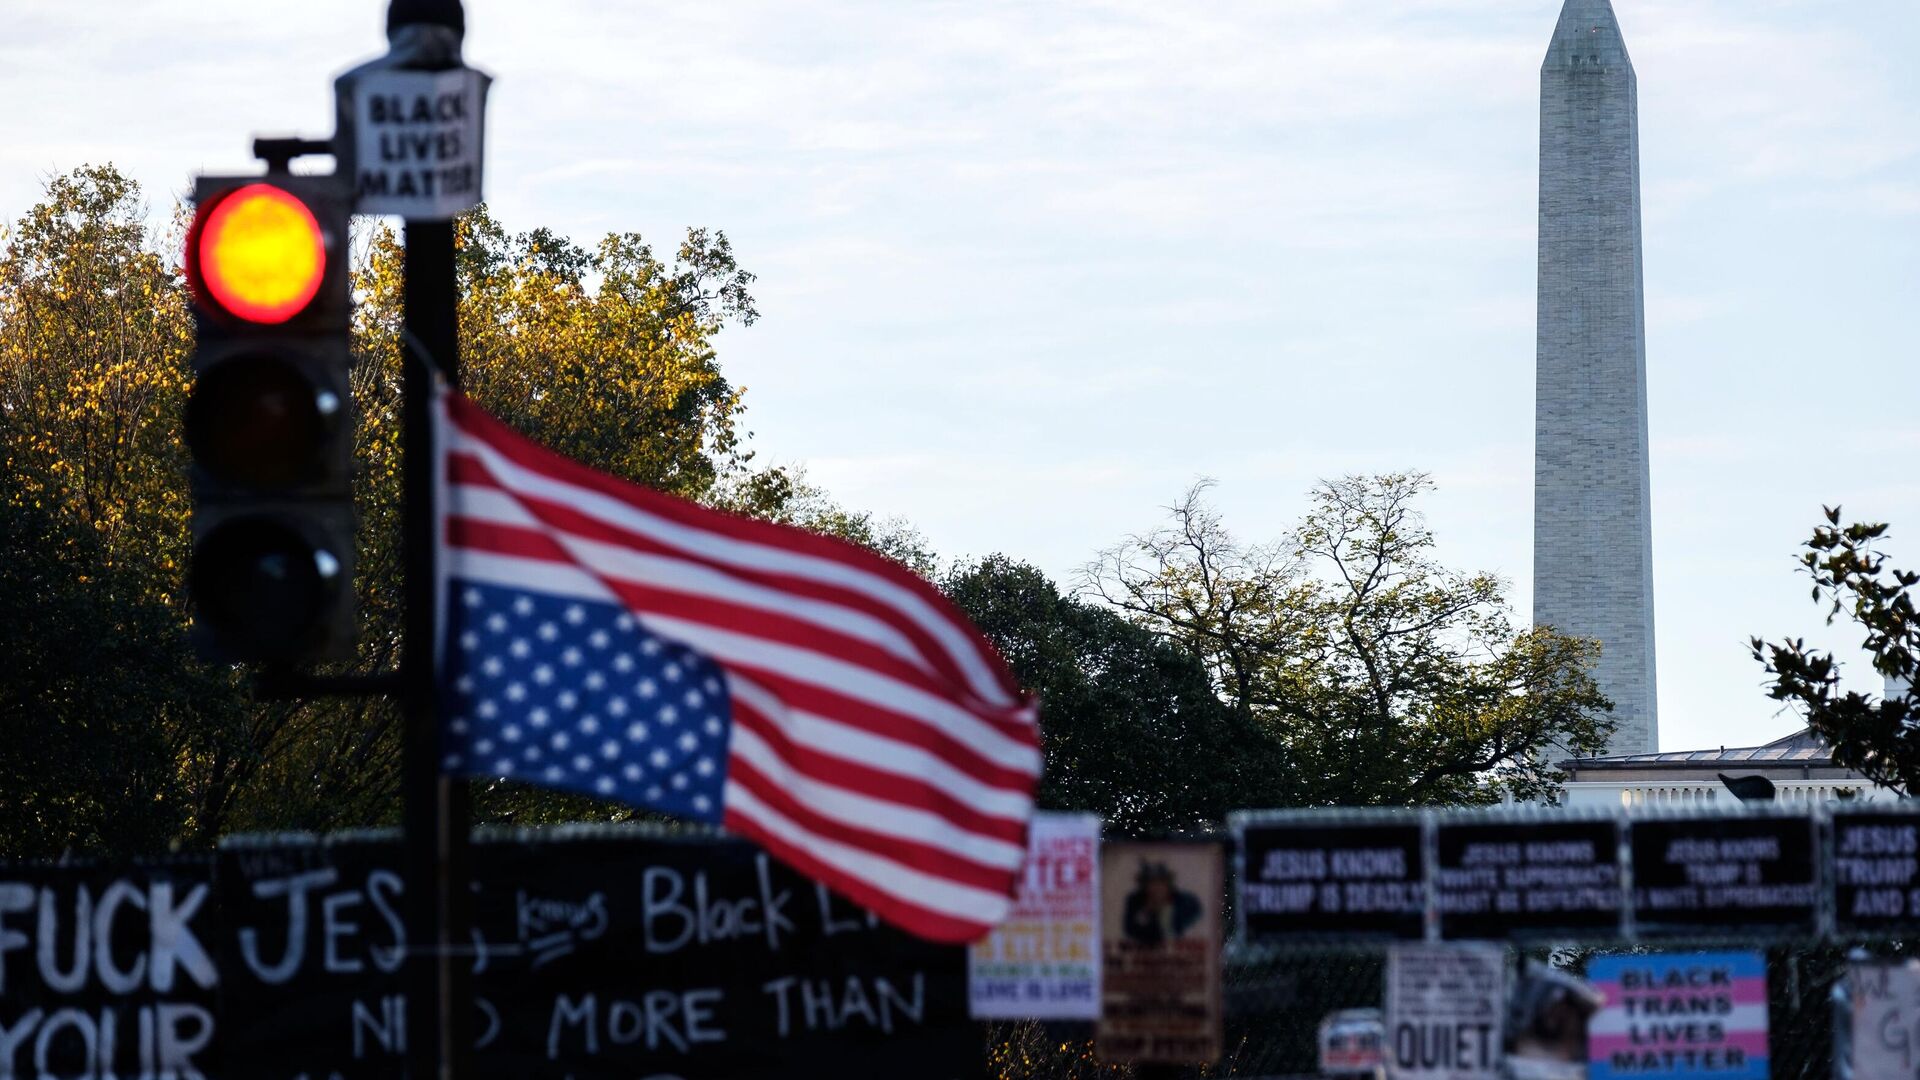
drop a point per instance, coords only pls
(258, 255)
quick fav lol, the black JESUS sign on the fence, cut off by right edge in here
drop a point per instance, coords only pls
(1877, 873)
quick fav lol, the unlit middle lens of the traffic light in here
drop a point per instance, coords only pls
(262, 422)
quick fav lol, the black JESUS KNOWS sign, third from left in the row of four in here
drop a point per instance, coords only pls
(1719, 875)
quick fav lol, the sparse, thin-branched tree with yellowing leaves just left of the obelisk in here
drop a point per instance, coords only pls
(1383, 677)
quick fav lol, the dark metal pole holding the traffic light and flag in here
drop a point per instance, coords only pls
(437, 808)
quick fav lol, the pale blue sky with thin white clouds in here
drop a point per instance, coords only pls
(1028, 270)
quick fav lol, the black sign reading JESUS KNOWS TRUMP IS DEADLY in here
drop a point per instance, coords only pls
(1332, 881)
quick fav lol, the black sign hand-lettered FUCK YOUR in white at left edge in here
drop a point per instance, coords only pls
(108, 971)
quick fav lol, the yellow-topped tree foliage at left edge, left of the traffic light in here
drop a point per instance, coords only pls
(108, 718)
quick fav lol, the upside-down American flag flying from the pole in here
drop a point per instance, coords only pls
(800, 691)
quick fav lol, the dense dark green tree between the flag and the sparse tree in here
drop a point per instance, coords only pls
(1132, 725)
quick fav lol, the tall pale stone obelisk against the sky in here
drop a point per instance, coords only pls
(1593, 526)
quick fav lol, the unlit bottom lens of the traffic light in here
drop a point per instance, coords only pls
(264, 587)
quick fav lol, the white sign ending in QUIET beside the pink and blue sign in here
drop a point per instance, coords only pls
(1445, 1012)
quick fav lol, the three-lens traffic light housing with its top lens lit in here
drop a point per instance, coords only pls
(270, 420)
